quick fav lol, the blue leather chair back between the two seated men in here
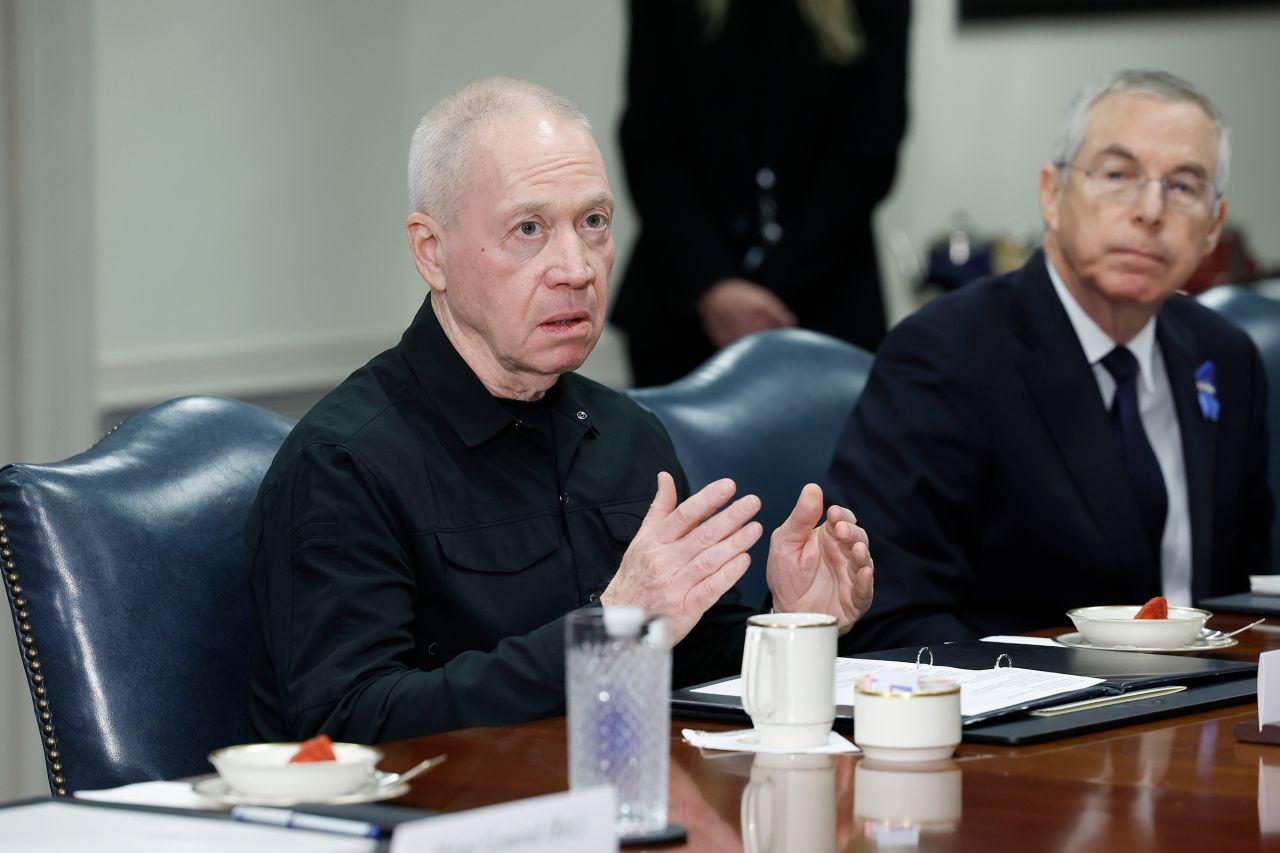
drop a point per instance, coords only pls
(766, 412)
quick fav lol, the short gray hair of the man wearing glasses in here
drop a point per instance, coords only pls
(1160, 85)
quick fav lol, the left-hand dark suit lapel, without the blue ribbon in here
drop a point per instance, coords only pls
(1063, 385)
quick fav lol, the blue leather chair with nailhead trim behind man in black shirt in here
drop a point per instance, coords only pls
(127, 581)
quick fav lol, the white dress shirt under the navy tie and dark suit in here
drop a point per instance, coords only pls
(1160, 422)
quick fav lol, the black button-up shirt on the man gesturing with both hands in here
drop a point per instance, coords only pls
(414, 550)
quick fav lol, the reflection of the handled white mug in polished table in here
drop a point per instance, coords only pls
(790, 804)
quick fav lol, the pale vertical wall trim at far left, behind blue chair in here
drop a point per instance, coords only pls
(47, 295)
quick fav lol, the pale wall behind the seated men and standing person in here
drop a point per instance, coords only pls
(245, 175)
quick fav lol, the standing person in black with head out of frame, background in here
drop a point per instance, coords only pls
(758, 136)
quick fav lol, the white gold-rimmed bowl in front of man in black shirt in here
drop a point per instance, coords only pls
(264, 770)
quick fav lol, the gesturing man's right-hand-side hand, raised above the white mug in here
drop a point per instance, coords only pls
(825, 569)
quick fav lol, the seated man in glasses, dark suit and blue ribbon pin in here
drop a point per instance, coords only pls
(1073, 434)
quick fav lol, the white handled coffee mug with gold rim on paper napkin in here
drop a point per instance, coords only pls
(789, 678)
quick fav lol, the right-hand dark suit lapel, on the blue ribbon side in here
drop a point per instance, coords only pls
(1182, 358)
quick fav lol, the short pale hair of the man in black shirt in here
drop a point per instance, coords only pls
(438, 154)
